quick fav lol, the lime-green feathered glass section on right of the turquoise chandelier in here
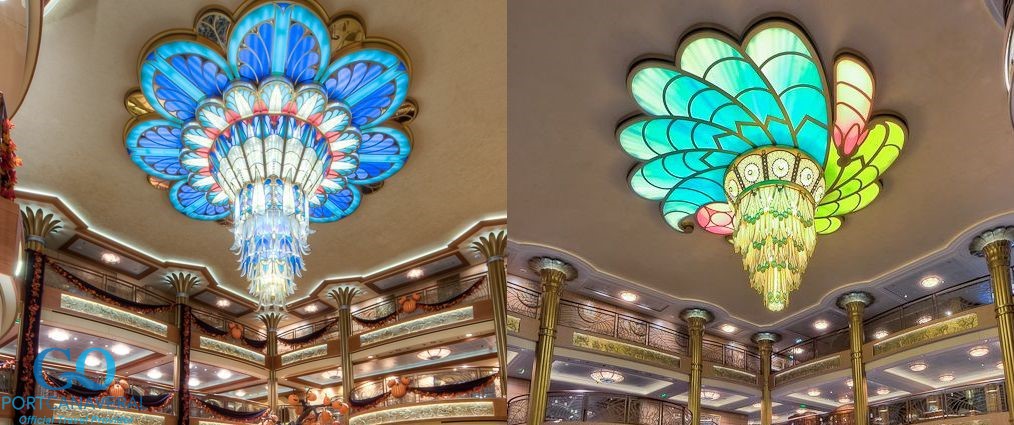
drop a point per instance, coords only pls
(849, 186)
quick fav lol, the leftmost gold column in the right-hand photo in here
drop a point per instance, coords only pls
(554, 274)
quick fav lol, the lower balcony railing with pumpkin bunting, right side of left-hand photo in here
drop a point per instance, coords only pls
(431, 379)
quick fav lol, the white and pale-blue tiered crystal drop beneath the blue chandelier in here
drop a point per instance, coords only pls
(271, 227)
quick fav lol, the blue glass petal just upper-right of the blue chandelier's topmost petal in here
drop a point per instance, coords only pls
(373, 83)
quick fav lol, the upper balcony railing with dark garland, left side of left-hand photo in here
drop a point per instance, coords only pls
(111, 285)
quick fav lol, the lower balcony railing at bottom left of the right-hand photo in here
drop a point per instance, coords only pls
(601, 408)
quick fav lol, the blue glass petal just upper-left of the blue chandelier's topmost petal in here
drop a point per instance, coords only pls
(177, 76)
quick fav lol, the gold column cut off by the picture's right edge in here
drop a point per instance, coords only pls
(995, 246)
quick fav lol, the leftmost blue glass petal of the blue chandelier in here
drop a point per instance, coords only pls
(156, 147)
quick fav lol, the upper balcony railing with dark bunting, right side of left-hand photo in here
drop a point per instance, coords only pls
(438, 294)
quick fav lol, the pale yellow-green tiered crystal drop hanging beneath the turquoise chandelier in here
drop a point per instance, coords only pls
(775, 235)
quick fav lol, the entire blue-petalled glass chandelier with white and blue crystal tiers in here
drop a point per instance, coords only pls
(273, 118)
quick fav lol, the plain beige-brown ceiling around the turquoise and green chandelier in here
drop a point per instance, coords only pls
(938, 64)
